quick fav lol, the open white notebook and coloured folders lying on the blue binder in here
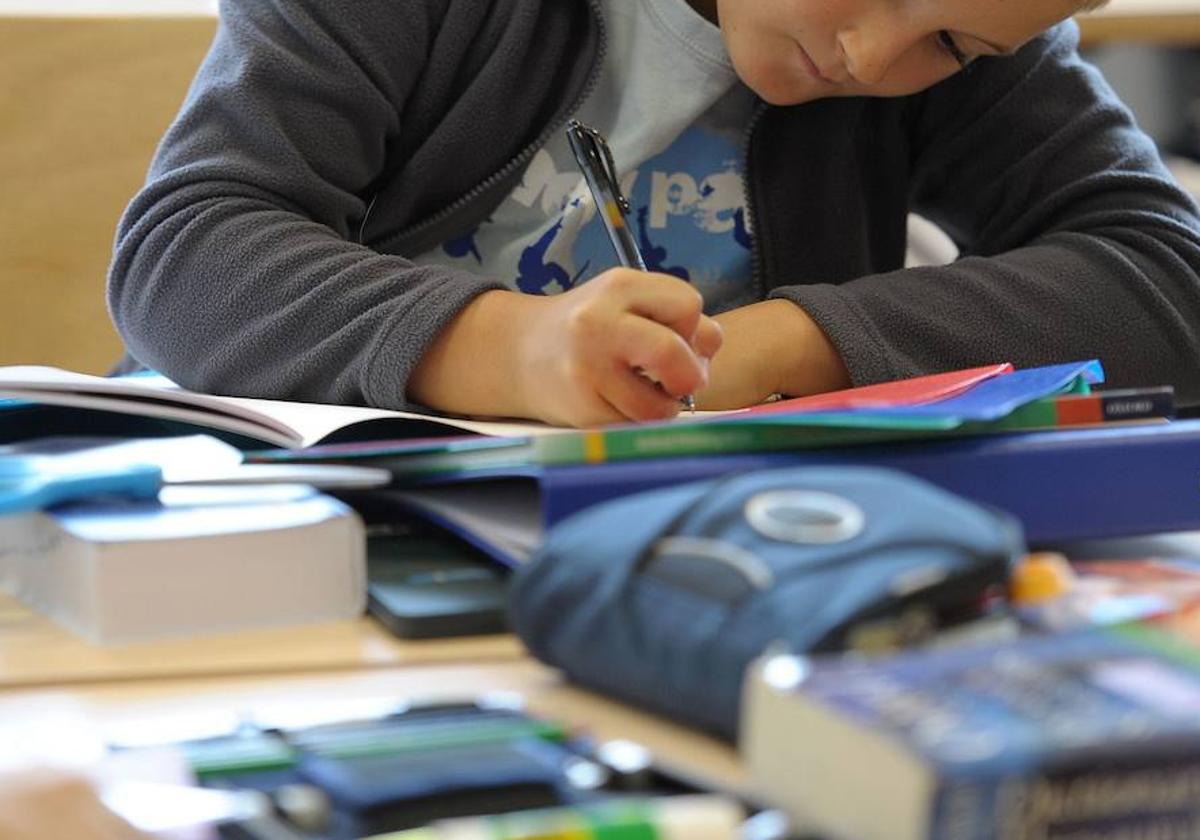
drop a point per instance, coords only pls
(993, 399)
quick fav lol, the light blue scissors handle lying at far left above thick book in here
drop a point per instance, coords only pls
(29, 487)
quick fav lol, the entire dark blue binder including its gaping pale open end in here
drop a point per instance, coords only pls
(1063, 485)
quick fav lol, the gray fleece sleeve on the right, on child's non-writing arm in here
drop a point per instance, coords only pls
(1076, 242)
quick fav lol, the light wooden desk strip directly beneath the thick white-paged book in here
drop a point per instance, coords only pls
(35, 651)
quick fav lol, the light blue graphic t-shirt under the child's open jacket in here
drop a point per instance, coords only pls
(675, 116)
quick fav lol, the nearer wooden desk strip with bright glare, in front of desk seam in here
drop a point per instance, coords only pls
(75, 723)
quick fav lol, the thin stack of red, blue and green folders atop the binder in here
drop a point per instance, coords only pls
(965, 404)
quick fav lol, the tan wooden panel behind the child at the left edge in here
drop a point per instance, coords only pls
(83, 103)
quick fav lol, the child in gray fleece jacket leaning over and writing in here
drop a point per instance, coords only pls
(375, 203)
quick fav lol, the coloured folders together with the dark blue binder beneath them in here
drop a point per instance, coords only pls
(1094, 475)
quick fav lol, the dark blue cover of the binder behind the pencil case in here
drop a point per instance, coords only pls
(1063, 485)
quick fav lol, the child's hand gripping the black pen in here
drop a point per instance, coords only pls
(626, 346)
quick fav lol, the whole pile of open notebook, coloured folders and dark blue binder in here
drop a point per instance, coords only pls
(501, 484)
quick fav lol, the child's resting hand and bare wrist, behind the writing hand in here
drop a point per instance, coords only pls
(771, 347)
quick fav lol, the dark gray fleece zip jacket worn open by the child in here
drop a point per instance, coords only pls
(322, 142)
